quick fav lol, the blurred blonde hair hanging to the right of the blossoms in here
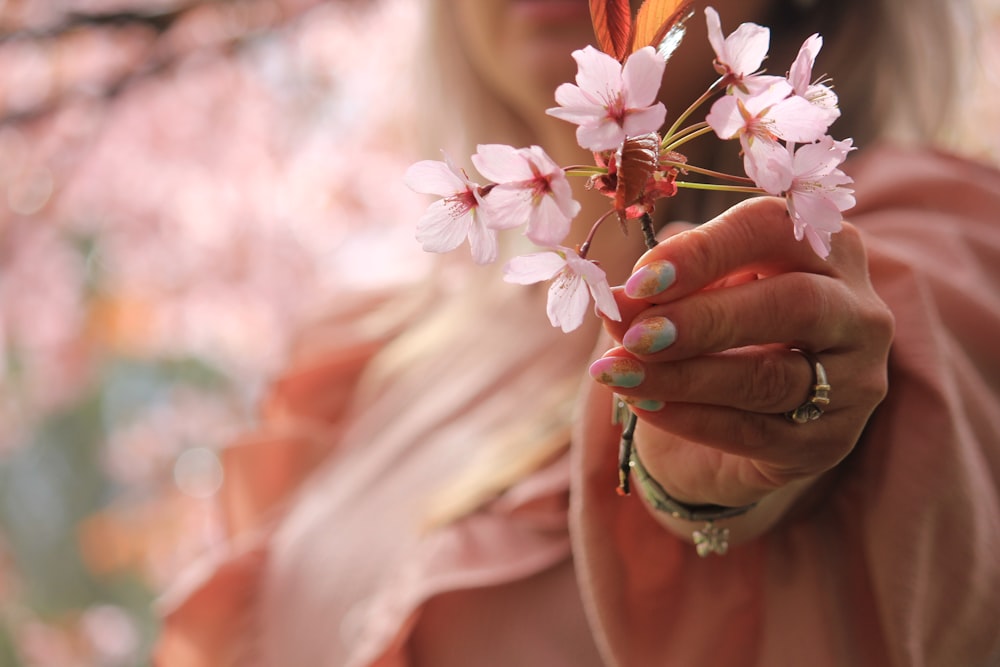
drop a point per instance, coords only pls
(898, 65)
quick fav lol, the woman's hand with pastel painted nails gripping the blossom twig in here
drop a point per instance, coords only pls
(709, 318)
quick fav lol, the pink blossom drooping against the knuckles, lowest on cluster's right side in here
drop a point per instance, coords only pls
(812, 185)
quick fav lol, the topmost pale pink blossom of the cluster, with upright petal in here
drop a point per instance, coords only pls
(739, 56)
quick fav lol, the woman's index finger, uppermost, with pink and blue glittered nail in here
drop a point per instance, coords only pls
(755, 236)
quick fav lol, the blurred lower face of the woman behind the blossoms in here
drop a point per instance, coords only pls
(521, 48)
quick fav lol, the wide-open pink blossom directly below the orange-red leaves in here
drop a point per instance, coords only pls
(610, 101)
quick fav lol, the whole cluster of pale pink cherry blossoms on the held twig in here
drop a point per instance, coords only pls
(780, 122)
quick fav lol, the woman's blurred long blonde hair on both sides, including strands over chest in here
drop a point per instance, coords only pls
(891, 85)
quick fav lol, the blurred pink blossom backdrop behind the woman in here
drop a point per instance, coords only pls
(182, 182)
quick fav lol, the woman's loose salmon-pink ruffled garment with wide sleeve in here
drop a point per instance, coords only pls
(897, 563)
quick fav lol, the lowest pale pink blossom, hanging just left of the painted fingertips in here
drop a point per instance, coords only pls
(572, 277)
